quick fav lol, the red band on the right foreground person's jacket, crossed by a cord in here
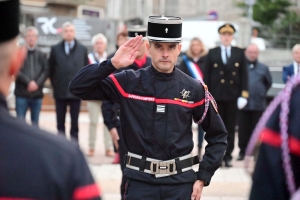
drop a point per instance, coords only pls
(272, 138)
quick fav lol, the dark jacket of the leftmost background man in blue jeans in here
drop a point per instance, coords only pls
(35, 68)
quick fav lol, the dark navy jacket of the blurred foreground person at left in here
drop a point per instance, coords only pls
(35, 164)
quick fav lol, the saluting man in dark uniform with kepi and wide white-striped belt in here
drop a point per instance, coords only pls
(158, 104)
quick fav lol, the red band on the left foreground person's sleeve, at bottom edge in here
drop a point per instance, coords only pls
(86, 192)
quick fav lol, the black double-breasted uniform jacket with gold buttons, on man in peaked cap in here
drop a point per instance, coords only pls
(226, 82)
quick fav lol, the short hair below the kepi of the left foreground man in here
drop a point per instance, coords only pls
(6, 50)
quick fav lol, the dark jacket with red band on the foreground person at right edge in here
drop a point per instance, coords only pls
(269, 180)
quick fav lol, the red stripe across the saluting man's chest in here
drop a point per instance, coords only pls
(153, 99)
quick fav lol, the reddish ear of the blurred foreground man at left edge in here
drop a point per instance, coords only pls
(17, 60)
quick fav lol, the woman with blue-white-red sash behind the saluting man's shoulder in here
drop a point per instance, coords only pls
(193, 65)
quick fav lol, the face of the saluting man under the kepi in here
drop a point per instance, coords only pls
(164, 55)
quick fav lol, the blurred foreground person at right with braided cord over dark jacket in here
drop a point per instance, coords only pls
(277, 172)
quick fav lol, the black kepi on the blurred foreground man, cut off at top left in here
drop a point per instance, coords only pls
(9, 19)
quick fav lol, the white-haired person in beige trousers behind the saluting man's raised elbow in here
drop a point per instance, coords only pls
(98, 55)
